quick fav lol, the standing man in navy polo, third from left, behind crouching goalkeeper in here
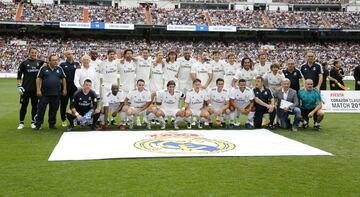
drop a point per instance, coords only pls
(69, 67)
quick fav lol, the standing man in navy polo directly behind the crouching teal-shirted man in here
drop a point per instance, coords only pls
(312, 70)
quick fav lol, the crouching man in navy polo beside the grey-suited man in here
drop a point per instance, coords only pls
(264, 103)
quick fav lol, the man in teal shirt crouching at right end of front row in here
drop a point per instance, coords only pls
(311, 105)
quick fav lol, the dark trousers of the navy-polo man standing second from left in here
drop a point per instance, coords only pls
(53, 102)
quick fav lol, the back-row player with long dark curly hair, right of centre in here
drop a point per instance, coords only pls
(246, 72)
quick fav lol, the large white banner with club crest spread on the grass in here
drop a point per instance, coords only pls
(188, 143)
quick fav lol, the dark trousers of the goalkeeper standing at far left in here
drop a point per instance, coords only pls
(24, 101)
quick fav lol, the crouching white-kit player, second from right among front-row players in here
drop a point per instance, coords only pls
(219, 103)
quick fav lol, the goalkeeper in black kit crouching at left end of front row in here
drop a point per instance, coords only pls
(83, 107)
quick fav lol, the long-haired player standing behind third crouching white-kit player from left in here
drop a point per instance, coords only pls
(171, 68)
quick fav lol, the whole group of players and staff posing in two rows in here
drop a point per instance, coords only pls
(178, 90)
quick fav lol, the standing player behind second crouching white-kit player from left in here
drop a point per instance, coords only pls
(143, 67)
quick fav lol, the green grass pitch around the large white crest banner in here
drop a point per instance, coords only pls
(25, 170)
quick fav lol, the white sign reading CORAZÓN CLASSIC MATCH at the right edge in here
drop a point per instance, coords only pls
(341, 101)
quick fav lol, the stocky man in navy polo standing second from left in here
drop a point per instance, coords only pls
(48, 88)
